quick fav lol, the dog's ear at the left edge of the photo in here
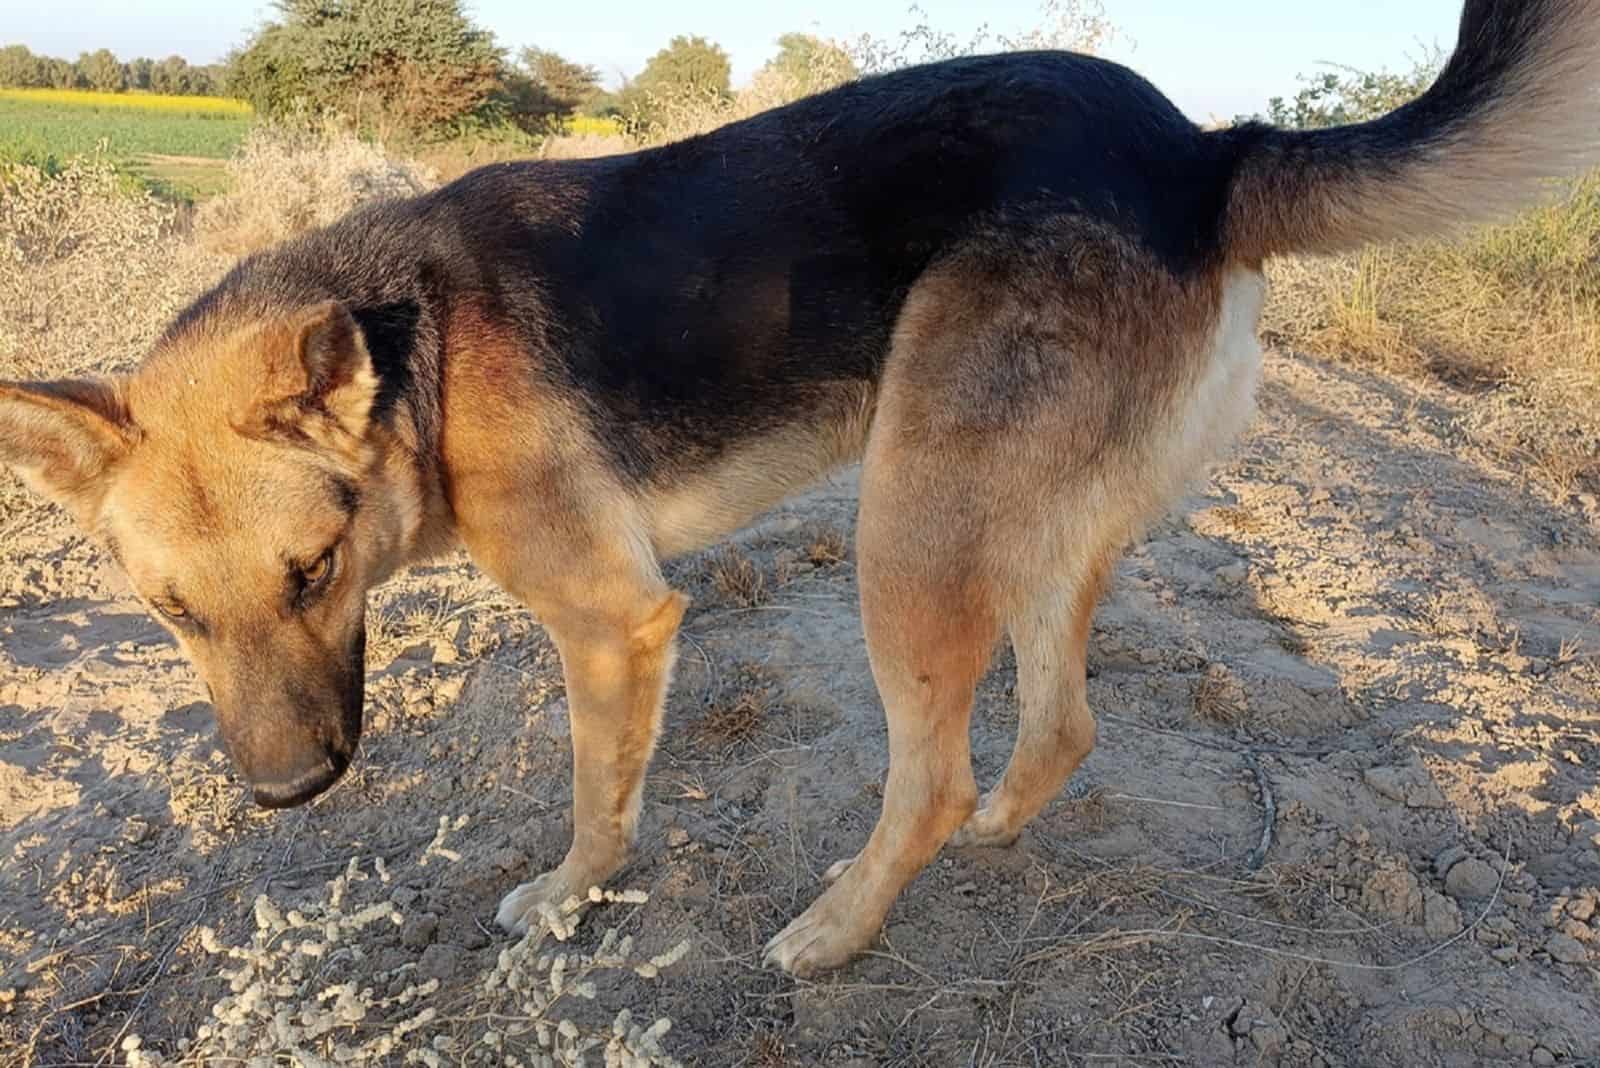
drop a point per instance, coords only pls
(65, 437)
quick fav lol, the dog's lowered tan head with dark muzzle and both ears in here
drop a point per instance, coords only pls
(249, 490)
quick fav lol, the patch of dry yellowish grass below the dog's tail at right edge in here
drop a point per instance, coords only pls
(1511, 313)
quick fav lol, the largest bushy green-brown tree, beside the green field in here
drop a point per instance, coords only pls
(418, 66)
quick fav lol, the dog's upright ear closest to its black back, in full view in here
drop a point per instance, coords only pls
(324, 383)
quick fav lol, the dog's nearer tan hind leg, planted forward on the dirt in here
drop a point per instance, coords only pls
(930, 628)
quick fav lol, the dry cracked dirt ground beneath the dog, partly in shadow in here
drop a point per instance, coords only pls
(1359, 628)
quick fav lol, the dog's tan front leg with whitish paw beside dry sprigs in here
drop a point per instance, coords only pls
(617, 682)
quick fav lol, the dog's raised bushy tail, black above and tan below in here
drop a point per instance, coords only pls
(1516, 105)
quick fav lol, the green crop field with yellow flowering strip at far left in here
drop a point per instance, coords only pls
(175, 145)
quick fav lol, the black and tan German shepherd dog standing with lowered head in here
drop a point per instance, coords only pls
(1022, 290)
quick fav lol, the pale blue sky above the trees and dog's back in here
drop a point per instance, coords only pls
(1214, 58)
